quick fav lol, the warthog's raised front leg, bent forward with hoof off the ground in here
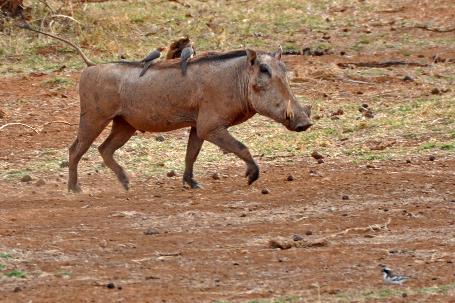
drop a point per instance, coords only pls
(222, 138)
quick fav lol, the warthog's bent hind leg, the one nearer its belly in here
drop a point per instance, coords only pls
(121, 132)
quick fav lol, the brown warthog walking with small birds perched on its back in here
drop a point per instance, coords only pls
(219, 90)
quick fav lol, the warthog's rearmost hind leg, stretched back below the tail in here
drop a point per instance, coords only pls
(89, 129)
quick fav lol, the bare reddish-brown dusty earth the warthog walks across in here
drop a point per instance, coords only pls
(160, 242)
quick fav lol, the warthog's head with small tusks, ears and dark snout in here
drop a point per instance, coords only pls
(269, 92)
